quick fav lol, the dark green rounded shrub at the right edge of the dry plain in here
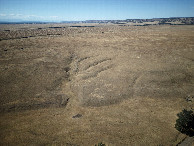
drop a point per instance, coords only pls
(185, 122)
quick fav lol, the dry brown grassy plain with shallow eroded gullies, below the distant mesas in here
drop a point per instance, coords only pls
(120, 85)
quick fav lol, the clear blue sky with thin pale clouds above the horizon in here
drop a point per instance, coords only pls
(59, 10)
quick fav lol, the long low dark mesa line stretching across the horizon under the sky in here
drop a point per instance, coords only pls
(143, 22)
